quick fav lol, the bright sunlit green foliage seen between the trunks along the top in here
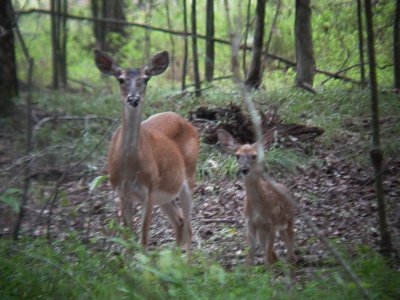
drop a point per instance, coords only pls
(334, 37)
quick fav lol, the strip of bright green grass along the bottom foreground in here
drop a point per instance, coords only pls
(31, 269)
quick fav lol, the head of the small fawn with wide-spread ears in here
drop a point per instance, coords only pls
(246, 154)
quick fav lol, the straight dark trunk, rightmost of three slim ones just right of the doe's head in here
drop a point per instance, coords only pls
(210, 49)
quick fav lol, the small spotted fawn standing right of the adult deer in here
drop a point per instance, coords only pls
(269, 207)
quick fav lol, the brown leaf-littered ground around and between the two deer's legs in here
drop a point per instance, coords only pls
(337, 195)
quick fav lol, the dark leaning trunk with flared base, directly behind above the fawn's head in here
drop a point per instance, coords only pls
(254, 77)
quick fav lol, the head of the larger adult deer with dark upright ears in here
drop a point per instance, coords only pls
(133, 81)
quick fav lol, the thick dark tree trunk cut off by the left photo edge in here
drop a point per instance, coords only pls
(8, 68)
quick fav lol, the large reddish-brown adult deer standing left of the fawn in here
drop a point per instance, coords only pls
(151, 162)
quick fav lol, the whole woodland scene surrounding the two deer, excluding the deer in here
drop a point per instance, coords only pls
(325, 73)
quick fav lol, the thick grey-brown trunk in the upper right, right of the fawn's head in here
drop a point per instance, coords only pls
(304, 46)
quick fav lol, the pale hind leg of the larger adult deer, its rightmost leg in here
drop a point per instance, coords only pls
(186, 203)
